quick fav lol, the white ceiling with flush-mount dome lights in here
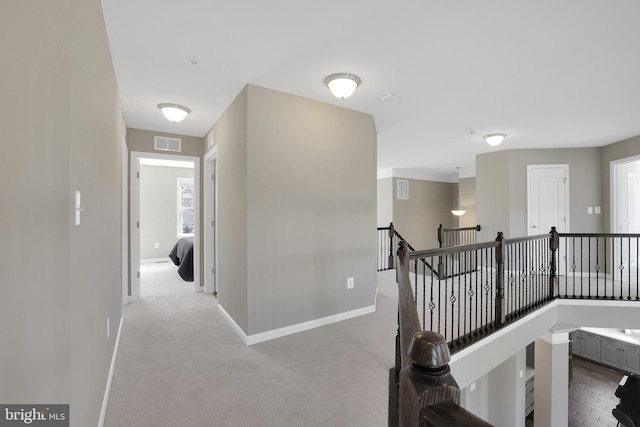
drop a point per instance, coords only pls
(548, 73)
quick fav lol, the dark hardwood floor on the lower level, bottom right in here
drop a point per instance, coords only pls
(591, 394)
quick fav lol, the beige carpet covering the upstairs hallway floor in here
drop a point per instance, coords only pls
(180, 364)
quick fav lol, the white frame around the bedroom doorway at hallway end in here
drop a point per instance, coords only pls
(134, 227)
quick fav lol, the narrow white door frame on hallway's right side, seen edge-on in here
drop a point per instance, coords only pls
(211, 167)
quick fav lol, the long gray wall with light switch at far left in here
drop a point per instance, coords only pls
(62, 125)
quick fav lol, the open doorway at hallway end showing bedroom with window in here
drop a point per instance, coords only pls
(164, 216)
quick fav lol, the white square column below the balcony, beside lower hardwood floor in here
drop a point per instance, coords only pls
(551, 383)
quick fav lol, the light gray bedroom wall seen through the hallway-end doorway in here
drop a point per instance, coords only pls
(158, 209)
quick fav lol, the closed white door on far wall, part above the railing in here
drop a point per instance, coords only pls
(548, 195)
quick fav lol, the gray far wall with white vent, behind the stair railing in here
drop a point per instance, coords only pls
(418, 218)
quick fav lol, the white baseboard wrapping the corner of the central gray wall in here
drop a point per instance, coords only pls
(293, 329)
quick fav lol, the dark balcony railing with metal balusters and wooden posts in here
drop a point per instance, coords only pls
(473, 290)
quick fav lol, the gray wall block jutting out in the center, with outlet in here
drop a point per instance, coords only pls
(299, 187)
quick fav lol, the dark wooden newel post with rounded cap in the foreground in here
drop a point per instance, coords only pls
(427, 379)
